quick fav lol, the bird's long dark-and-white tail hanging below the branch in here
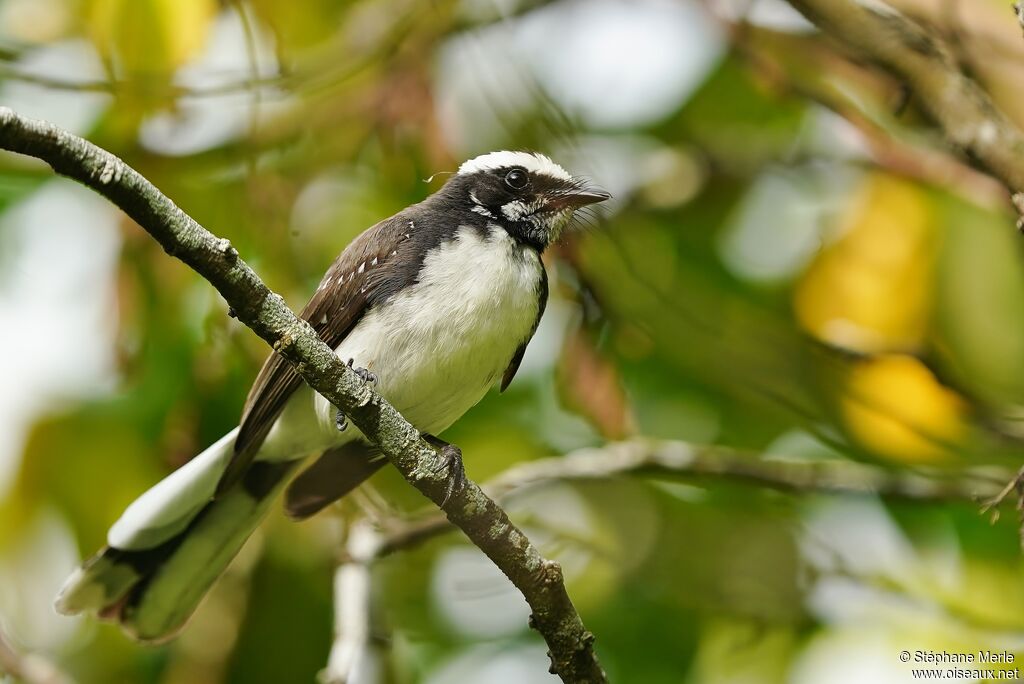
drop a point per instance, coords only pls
(173, 543)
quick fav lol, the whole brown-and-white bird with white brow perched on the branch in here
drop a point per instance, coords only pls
(434, 307)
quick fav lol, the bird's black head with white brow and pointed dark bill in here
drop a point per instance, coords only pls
(527, 194)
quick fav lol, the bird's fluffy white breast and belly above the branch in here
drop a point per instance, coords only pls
(440, 345)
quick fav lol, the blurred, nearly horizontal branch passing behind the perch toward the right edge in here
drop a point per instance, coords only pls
(674, 460)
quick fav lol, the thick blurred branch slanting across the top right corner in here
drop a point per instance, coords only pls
(962, 109)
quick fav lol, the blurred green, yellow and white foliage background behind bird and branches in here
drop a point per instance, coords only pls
(794, 266)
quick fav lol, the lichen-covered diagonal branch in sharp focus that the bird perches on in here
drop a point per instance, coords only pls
(540, 580)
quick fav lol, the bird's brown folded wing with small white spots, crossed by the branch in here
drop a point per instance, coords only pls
(372, 268)
